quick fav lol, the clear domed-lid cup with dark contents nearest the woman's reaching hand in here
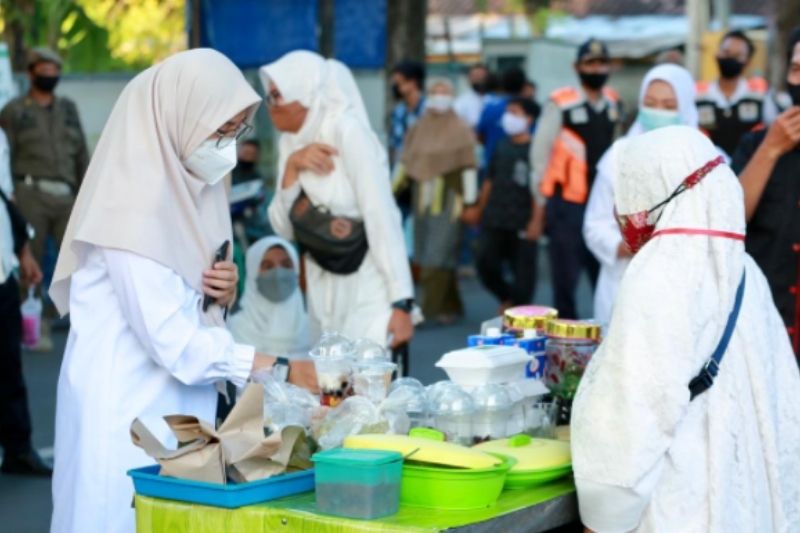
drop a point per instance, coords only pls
(333, 358)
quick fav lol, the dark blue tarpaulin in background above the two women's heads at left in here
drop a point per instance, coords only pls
(255, 32)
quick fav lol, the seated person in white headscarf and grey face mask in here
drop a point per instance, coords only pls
(272, 317)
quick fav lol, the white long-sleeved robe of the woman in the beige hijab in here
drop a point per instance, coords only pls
(136, 348)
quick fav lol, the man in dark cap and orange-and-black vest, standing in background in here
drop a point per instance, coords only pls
(577, 126)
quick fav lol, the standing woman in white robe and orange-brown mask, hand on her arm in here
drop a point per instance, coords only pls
(329, 151)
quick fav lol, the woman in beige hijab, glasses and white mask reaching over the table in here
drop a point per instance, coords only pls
(132, 274)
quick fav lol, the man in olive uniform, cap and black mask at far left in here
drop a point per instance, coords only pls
(48, 155)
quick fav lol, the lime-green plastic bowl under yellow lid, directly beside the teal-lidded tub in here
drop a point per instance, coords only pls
(453, 488)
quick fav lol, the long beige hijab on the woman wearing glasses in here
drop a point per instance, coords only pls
(136, 194)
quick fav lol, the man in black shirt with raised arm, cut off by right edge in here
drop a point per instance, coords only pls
(767, 162)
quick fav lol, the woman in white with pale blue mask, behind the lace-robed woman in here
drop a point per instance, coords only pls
(667, 91)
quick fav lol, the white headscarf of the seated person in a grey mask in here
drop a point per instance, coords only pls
(273, 328)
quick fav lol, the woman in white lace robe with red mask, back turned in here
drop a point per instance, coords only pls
(645, 457)
